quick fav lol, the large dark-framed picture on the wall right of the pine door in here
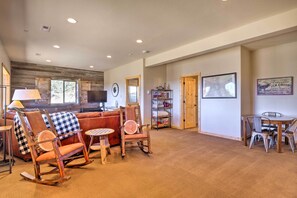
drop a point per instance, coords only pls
(219, 86)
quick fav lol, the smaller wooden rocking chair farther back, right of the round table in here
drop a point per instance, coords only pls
(130, 133)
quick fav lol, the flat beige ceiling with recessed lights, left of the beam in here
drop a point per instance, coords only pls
(111, 27)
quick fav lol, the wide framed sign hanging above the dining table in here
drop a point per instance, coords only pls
(275, 86)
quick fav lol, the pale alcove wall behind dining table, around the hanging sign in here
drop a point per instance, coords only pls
(276, 61)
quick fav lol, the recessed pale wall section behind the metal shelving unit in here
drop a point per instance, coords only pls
(153, 77)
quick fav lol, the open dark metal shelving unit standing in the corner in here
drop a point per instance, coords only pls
(161, 109)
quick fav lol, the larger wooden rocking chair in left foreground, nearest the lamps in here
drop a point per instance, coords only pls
(48, 149)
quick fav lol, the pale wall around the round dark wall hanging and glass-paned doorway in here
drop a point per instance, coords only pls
(119, 75)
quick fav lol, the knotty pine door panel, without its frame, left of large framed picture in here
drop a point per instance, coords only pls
(190, 102)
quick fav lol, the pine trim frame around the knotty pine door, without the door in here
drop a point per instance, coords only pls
(198, 76)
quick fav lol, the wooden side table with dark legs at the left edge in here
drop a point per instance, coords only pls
(7, 143)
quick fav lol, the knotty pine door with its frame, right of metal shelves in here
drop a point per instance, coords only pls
(190, 107)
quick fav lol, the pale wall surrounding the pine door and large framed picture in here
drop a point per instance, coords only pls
(218, 116)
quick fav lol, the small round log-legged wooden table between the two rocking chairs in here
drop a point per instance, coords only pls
(103, 146)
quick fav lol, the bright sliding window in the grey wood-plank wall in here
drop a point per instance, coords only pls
(63, 91)
